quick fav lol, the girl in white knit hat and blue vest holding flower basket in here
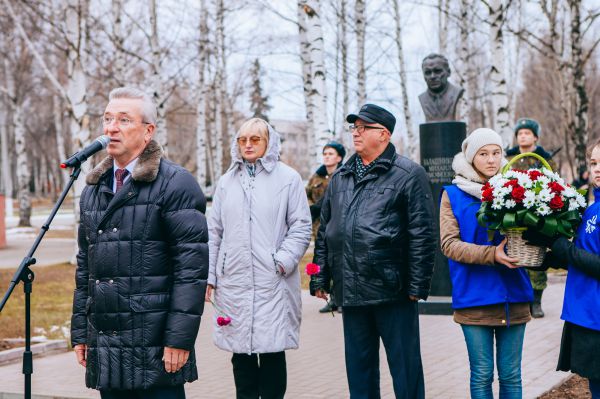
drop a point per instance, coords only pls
(490, 294)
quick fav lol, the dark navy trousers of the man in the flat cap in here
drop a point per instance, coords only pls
(397, 325)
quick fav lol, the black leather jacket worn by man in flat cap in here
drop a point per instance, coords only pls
(376, 240)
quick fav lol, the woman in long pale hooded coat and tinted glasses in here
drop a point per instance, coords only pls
(260, 227)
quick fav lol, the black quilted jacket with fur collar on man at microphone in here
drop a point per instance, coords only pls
(141, 273)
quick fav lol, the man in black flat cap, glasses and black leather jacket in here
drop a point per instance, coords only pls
(376, 243)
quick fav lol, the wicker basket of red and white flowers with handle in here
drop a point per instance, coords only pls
(515, 200)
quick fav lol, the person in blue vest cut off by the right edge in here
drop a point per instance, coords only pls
(580, 344)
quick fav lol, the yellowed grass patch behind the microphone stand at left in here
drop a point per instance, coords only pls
(51, 302)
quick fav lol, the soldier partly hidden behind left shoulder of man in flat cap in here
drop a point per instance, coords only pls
(333, 155)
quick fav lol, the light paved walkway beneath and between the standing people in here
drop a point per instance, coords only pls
(316, 370)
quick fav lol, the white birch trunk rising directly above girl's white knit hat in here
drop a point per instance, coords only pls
(501, 115)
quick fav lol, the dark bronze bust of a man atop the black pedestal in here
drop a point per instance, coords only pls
(439, 101)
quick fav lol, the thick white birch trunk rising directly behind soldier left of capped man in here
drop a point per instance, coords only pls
(318, 93)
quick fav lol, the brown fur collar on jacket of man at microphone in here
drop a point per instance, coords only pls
(146, 169)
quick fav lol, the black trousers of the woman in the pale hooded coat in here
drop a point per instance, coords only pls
(259, 375)
